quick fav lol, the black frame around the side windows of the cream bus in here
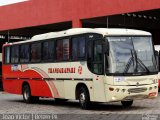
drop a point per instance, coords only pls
(84, 35)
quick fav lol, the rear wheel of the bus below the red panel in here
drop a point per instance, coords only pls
(27, 98)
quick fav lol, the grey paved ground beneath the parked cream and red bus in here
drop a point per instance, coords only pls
(13, 104)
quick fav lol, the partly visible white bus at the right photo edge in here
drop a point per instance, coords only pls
(157, 48)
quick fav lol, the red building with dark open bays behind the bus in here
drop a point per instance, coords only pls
(22, 20)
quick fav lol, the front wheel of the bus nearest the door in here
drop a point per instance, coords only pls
(84, 99)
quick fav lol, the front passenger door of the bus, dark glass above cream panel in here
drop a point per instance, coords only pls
(95, 62)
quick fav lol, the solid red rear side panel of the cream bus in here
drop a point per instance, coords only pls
(13, 80)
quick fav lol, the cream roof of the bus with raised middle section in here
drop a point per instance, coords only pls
(76, 31)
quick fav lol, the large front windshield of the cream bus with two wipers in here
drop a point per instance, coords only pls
(131, 55)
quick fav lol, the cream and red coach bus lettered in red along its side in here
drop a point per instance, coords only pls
(89, 65)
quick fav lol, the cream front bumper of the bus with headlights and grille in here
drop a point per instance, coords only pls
(121, 93)
